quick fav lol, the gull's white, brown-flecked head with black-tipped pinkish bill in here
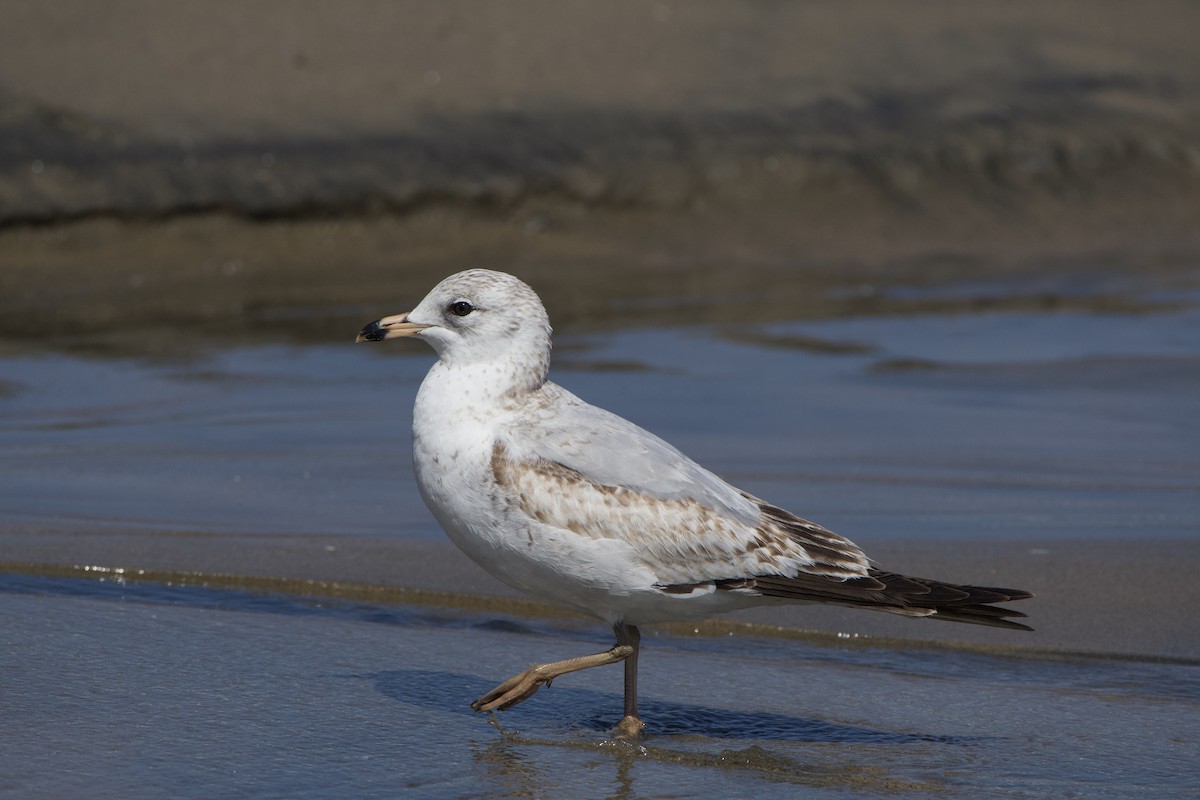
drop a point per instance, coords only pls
(478, 316)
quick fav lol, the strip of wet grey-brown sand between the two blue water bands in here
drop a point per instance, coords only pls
(1105, 599)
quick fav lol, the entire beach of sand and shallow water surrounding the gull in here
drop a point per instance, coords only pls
(926, 275)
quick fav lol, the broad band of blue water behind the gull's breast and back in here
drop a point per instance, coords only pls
(1053, 425)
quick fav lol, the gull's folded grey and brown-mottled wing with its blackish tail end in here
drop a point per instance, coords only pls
(581, 470)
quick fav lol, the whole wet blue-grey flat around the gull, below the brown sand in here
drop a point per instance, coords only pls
(219, 580)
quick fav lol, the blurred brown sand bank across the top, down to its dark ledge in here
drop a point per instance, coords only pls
(953, 111)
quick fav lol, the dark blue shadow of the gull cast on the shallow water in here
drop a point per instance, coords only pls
(569, 708)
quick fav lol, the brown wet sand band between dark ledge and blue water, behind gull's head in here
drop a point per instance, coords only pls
(165, 288)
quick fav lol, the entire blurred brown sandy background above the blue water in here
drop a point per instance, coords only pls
(214, 166)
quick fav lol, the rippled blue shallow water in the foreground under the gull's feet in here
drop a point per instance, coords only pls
(130, 691)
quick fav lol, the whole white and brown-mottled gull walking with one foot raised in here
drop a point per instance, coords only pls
(579, 507)
